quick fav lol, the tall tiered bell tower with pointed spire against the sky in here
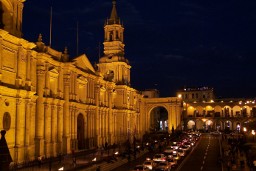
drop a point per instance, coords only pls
(113, 65)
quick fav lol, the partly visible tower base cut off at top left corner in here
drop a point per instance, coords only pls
(11, 16)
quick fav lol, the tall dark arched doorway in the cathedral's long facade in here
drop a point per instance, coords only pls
(80, 132)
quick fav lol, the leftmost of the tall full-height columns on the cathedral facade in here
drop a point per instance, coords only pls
(39, 129)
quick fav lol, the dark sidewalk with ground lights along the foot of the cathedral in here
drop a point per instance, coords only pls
(82, 162)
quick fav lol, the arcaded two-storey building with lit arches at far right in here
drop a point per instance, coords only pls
(202, 111)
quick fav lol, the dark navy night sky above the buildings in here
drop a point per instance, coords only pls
(170, 44)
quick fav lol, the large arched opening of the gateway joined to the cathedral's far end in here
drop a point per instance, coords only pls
(158, 119)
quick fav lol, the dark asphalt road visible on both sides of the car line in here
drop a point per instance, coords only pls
(203, 157)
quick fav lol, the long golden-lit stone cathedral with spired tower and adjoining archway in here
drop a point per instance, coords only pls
(51, 103)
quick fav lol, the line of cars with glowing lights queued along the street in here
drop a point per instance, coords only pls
(171, 154)
